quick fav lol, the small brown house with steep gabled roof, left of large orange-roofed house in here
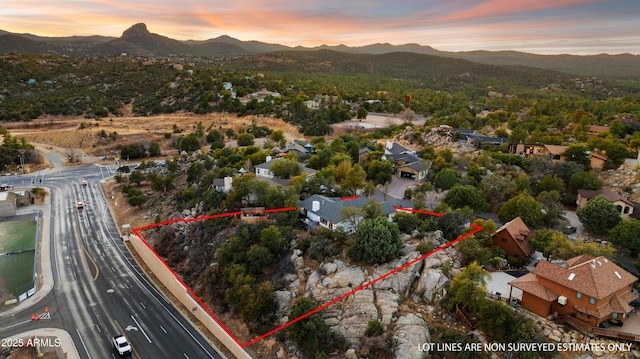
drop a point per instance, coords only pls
(514, 237)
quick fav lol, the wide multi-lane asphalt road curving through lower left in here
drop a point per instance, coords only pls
(99, 290)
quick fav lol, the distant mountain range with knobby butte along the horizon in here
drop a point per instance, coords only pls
(138, 41)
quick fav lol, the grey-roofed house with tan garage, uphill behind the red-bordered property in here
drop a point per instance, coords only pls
(406, 163)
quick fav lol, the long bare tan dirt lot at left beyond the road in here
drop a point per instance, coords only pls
(97, 137)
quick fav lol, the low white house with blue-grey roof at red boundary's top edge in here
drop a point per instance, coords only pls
(326, 211)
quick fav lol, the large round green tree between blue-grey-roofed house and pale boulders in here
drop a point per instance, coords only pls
(377, 241)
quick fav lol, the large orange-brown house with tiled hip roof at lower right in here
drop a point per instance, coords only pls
(593, 290)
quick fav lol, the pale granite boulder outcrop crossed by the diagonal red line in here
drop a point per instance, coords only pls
(421, 282)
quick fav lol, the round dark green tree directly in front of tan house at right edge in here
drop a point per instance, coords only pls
(599, 216)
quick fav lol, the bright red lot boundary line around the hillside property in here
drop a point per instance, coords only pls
(475, 230)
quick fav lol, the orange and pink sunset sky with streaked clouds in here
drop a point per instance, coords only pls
(538, 26)
